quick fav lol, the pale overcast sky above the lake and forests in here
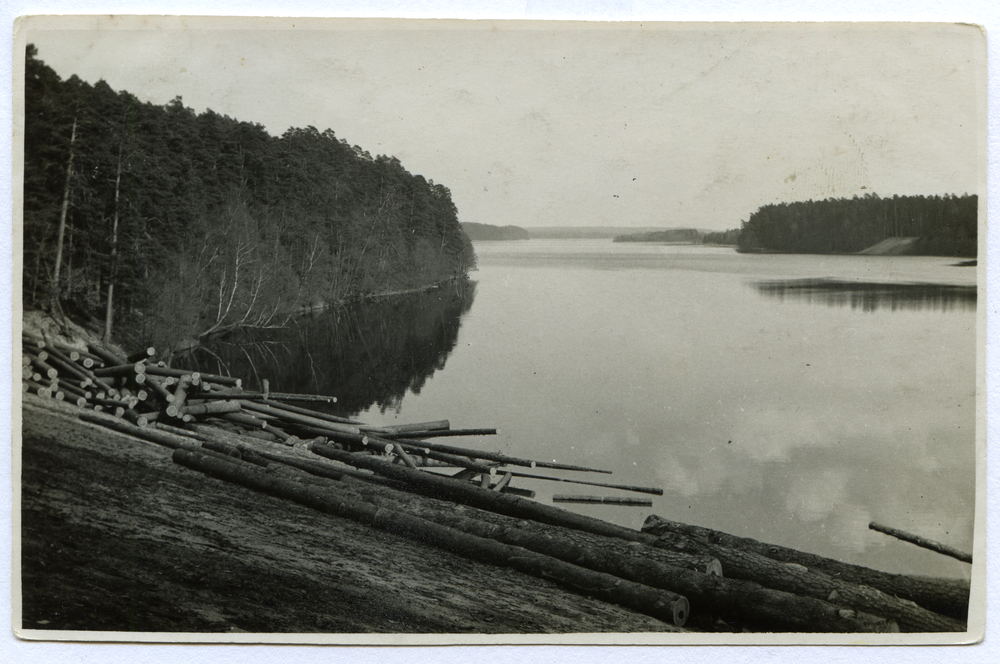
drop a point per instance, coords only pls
(575, 124)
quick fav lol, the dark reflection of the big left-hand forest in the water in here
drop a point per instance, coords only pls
(364, 353)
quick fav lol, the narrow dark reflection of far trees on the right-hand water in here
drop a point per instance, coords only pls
(872, 296)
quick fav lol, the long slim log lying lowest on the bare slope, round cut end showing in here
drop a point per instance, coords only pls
(663, 605)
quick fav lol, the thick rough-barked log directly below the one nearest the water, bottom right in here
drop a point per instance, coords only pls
(799, 580)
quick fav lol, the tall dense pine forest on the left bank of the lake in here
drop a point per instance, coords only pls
(189, 225)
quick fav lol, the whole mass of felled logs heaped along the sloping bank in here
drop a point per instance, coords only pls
(668, 570)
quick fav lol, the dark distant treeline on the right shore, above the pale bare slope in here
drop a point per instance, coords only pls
(945, 225)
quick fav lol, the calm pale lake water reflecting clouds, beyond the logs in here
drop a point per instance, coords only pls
(791, 399)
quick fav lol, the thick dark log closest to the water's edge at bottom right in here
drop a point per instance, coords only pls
(950, 598)
